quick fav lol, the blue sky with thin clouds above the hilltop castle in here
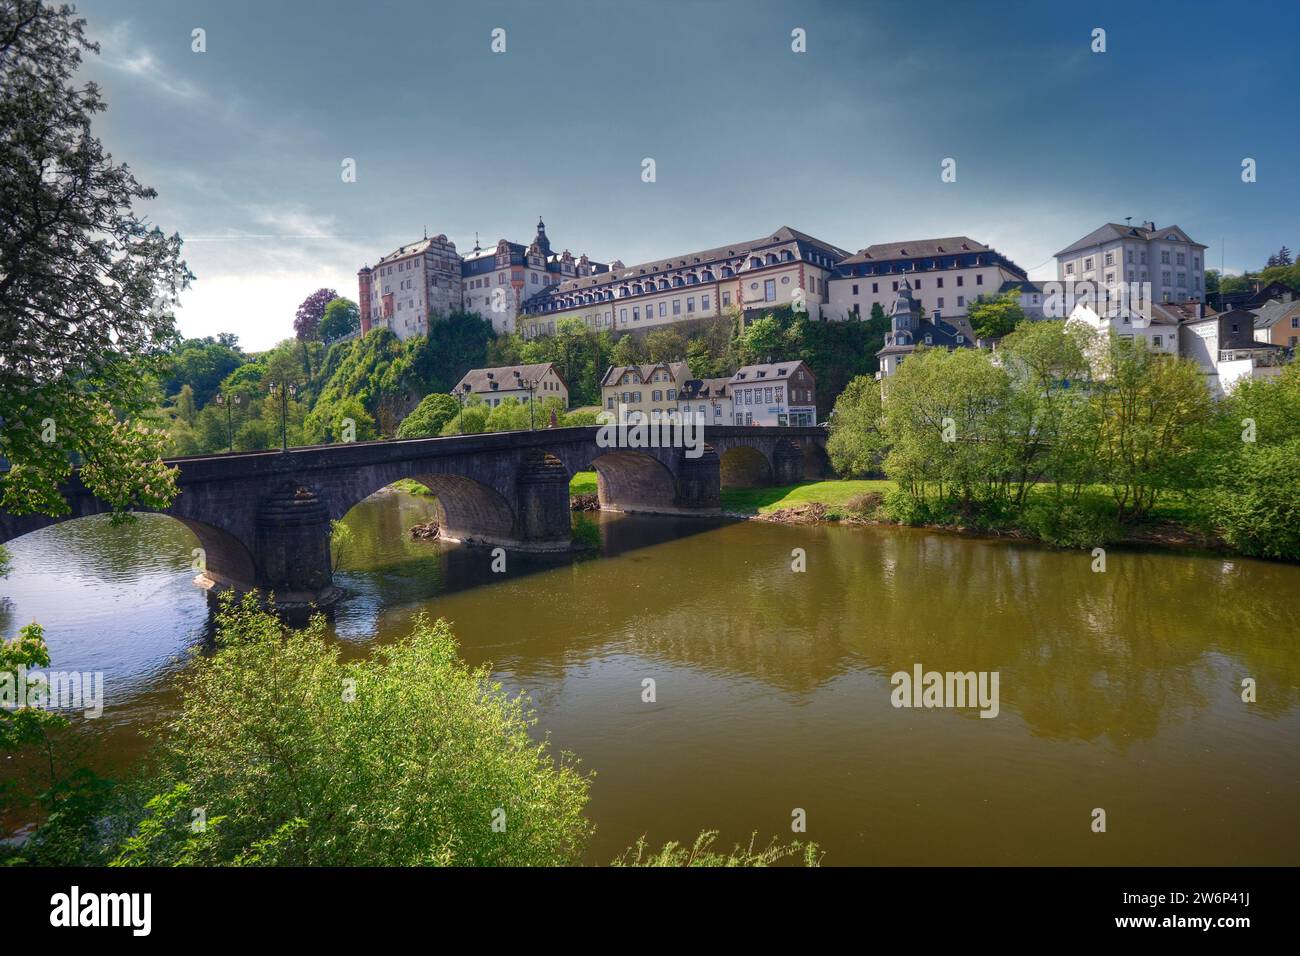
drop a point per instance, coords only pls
(245, 142)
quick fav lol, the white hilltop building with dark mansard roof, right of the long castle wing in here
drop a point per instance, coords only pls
(946, 276)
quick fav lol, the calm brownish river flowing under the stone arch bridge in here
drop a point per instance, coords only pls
(1117, 690)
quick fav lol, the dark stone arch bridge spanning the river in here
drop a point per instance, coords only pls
(263, 518)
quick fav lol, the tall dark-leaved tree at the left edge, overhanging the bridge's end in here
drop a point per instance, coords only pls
(86, 284)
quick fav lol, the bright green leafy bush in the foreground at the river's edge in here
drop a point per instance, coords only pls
(304, 759)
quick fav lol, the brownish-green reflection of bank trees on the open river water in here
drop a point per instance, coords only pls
(1081, 655)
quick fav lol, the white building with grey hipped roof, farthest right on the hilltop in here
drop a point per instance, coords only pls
(1119, 254)
